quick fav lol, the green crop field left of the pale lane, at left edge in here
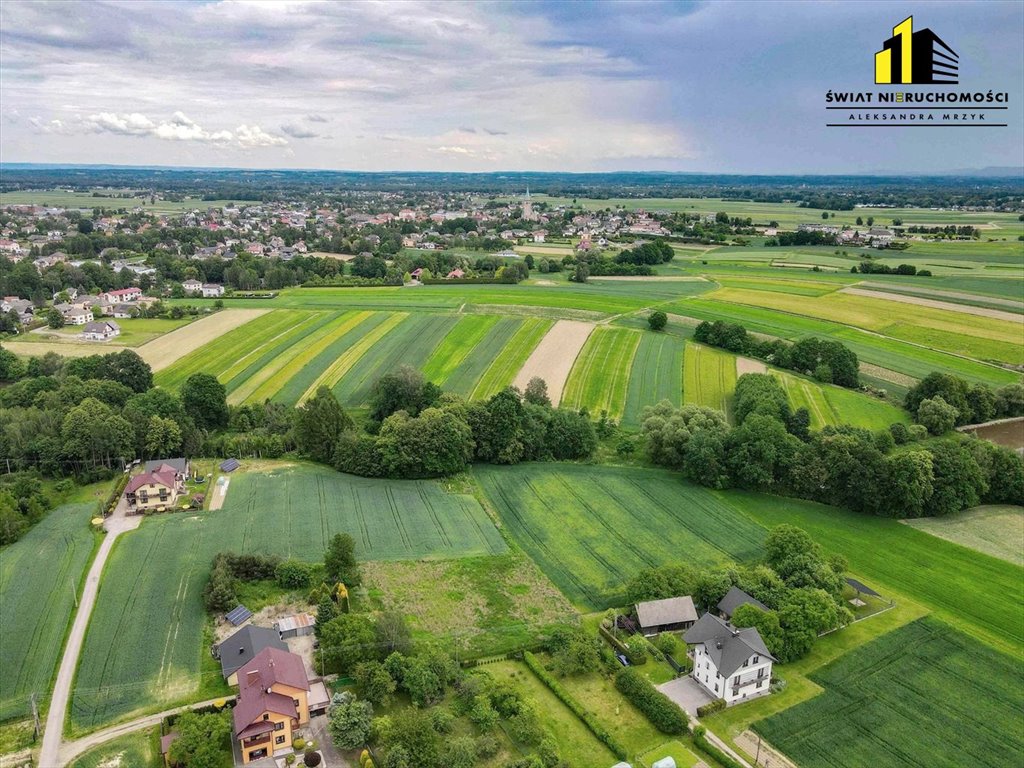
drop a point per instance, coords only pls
(39, 577)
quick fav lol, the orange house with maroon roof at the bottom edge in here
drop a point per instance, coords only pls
(273, 703)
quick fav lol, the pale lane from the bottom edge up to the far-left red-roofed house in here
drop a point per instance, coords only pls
(50, 756)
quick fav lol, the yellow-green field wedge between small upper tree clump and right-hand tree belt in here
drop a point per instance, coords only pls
(832, 405)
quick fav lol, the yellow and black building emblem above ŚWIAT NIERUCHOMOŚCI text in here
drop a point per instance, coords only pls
(911, 58)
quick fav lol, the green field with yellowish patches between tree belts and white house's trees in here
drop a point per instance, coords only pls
(591, 529)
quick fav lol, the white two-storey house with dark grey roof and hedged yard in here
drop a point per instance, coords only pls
(730, 664)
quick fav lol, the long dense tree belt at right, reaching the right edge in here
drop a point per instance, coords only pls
(889, 474)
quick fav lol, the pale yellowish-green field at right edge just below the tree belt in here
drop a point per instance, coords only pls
(994, 530)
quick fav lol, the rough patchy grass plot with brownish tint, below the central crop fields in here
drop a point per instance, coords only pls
(477, 607)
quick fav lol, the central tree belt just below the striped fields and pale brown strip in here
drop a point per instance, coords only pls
(415, 431)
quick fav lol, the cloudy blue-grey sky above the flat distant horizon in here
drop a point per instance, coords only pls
(440, 86)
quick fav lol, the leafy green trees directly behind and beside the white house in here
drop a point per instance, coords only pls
(801, 587)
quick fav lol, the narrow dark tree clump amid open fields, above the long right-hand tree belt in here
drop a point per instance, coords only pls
(829, 362)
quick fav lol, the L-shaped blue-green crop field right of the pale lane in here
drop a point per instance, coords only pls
(143, 649)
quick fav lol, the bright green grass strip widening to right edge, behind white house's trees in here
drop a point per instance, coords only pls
(967, 589)
